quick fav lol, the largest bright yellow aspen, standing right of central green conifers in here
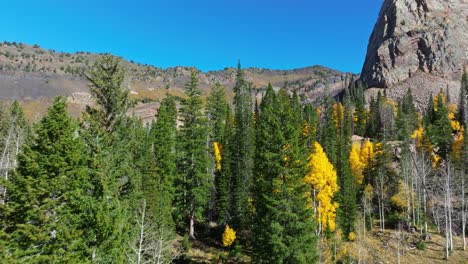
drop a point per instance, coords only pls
(322, 177)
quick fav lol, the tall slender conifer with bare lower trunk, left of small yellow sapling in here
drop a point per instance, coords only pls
(194, 179)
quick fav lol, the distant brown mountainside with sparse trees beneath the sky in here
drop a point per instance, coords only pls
(34, 75)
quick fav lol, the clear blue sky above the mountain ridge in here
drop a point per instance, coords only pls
(208, 34)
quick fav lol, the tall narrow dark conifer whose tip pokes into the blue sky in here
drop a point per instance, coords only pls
(242, 150)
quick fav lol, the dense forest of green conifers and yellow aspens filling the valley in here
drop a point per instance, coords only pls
(273, 180)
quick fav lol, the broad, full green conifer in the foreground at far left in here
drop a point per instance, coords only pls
(45, 195)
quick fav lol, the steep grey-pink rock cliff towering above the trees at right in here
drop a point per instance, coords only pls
(417, 39)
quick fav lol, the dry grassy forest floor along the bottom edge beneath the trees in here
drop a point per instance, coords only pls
(377, 247)
